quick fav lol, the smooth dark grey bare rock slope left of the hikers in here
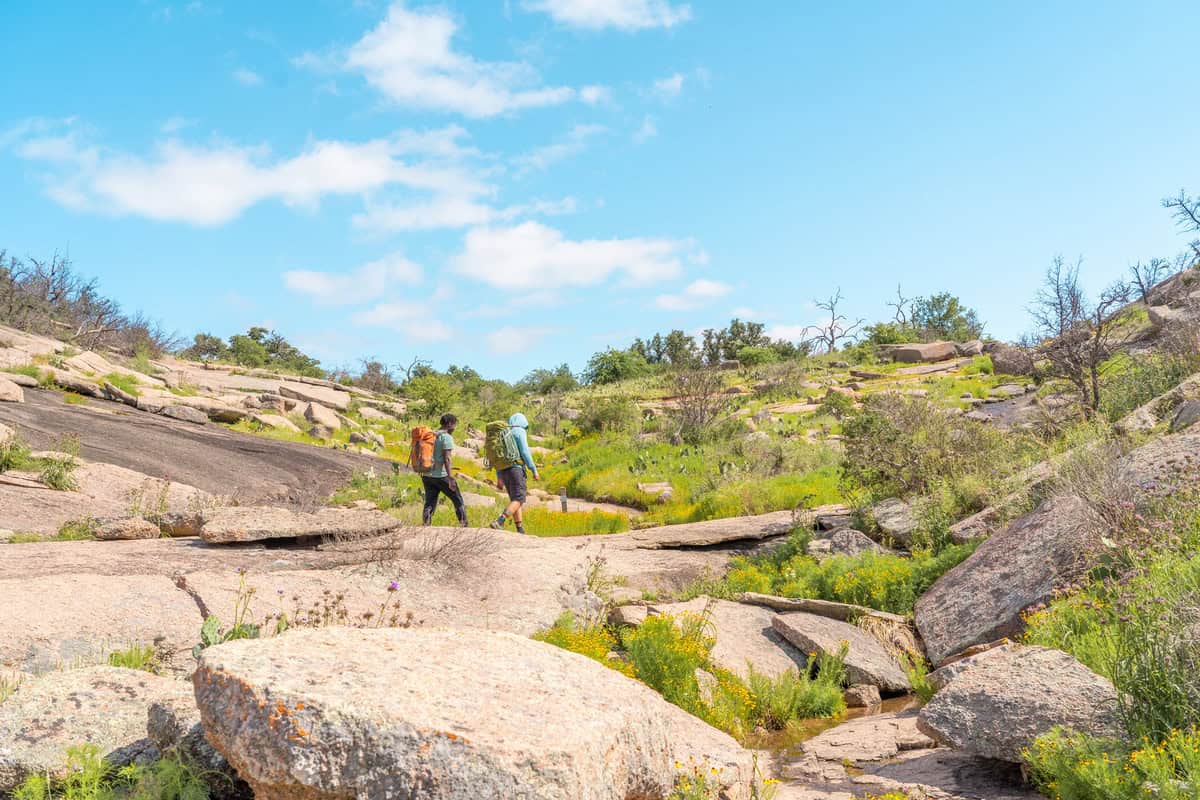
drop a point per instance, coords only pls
(208, 458)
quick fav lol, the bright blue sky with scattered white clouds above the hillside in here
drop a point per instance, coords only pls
(514, 185)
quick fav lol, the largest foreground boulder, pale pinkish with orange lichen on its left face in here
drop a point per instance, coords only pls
(339, 713)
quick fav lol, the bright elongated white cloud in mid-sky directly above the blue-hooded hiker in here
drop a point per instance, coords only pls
(532, 256)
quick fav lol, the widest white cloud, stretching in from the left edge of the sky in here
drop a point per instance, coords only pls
(211, 185)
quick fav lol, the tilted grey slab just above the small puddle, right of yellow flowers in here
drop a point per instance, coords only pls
(867, 660)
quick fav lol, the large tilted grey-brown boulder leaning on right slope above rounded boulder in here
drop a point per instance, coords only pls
(982, 599)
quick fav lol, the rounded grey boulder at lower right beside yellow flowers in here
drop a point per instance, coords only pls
(1007, 697)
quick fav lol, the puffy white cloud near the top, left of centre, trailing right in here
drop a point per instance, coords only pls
(410, 58)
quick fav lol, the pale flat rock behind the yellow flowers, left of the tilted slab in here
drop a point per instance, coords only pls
(745, 636)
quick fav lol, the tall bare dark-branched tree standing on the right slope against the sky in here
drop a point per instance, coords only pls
(1075, 336)
